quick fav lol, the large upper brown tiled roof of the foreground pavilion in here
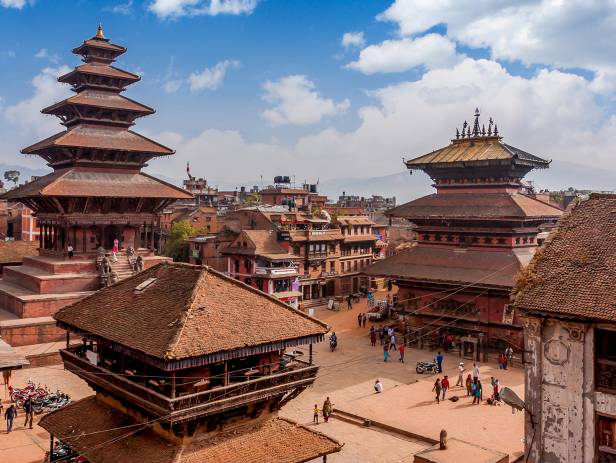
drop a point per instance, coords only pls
(193, 311)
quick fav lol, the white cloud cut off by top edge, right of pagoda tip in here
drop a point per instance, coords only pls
(165, 9)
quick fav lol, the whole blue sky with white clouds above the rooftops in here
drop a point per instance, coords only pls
(325, 89)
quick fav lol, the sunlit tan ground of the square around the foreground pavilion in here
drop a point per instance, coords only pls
(347, 377)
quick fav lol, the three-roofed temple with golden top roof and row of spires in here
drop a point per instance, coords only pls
(475, 234)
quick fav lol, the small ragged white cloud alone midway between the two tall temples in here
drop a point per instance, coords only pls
(295, 101)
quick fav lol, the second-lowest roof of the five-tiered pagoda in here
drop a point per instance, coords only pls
(100, 137)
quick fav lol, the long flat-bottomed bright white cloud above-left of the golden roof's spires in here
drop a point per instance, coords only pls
(432, 51)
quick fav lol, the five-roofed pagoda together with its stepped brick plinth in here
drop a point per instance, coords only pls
(96, 194)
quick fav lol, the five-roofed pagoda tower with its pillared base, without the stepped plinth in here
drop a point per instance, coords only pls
(97, 192)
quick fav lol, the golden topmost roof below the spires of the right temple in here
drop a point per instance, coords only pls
(479, 150)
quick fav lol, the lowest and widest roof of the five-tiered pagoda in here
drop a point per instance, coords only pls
(87, 182)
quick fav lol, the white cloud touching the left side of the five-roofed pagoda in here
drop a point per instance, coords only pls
(26, 114)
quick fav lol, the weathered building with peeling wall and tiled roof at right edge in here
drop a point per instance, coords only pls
(567, 299)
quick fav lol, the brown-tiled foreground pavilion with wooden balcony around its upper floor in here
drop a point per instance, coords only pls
(188, 365)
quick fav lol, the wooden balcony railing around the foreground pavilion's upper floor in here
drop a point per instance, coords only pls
(296, 375)
